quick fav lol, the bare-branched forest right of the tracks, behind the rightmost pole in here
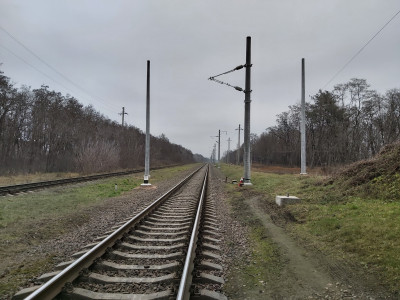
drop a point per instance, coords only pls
(349, 123)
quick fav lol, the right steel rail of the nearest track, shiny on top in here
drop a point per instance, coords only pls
(186, 279)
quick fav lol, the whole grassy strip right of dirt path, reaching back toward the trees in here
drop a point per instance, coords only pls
(358, 225)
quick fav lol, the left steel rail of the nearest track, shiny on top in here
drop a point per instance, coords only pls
(54, 286)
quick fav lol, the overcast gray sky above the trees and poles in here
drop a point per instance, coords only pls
(103, 46)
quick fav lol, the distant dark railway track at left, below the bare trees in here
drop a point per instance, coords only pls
(18, 188)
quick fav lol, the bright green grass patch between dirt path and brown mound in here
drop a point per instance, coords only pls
(366, 230)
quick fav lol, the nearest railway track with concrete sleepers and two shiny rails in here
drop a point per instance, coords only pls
(167, 251)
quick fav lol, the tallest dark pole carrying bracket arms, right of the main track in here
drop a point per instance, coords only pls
(247, 101)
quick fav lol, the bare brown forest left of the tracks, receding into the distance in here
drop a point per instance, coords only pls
(43, 131)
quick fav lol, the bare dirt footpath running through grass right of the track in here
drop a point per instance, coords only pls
(307, 274)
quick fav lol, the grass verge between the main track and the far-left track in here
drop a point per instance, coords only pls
(29, 219)
